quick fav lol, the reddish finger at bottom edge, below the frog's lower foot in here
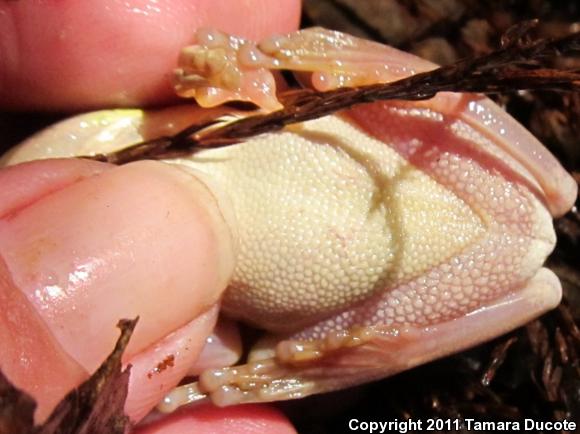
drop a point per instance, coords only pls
(242, 419)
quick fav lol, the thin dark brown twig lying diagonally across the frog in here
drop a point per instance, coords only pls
(518, 65)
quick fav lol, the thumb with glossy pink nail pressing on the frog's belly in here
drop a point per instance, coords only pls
(95, 243)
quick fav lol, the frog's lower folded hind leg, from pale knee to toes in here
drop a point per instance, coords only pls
(298, 368)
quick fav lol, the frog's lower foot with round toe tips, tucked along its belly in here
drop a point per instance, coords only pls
(294, 371)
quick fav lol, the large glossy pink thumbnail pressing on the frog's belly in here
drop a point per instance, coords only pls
(145, 239)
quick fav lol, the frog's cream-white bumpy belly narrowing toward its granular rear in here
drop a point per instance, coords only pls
(355, 223)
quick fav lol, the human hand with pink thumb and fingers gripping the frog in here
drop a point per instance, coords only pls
(84, 244)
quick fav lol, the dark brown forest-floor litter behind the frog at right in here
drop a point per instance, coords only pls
(534, 372)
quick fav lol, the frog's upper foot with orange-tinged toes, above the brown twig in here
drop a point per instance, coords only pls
(220, 68)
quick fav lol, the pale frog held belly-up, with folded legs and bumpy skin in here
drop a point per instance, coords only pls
(372, 240)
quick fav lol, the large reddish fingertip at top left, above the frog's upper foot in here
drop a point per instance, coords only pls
(75, 54)
